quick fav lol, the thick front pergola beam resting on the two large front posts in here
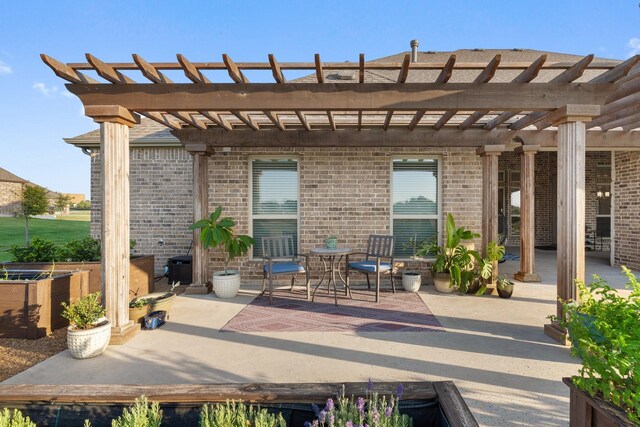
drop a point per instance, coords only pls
(343, 97)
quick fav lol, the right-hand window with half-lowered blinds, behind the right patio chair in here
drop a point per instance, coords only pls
(415, 198)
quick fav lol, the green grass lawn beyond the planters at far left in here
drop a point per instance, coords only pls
(12, 232)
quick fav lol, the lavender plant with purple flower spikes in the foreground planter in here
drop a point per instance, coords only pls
(372, 410)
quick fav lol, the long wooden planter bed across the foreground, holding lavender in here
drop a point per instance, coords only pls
(430, 404)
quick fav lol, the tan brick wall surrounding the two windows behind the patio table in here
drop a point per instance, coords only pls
(343, 191)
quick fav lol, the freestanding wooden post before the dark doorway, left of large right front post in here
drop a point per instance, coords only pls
(527, 214)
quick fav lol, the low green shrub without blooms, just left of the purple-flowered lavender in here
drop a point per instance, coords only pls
(238, 414)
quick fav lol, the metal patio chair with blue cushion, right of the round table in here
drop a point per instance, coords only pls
(379, 248)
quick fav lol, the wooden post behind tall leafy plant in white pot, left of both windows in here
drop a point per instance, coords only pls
(200, 155)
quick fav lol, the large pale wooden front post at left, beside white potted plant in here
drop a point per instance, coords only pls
(114, 156)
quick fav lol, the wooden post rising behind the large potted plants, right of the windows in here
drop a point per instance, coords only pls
(489, 154)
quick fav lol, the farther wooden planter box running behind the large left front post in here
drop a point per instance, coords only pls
(140, 276)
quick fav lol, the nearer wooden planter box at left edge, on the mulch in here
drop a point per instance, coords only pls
(30, 307)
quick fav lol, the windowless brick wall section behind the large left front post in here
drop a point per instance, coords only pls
(161, 200)
